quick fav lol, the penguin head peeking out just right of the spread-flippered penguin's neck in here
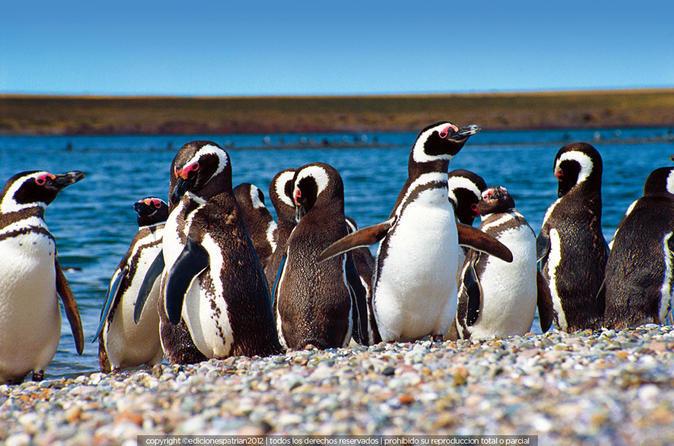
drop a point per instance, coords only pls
(465, 191)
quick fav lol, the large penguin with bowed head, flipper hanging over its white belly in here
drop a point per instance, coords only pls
(213, 278)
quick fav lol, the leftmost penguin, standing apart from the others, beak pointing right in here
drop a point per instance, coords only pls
(31, 279)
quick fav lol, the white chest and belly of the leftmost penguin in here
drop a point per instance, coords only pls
(29, 313)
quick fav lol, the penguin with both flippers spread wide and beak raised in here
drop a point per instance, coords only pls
(415, 276)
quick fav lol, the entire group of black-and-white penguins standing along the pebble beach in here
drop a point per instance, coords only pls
(211, 274)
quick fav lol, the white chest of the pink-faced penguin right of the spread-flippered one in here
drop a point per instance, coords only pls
(509, 289)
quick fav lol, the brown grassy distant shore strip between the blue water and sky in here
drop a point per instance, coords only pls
(96, 115)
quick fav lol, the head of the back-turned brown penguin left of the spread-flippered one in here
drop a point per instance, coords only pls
(317, 186)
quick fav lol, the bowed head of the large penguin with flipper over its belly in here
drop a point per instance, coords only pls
(202, 168)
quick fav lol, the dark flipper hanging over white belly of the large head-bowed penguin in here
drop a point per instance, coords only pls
(190, 263)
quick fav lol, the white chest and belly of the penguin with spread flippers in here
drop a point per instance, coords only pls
(415, 290)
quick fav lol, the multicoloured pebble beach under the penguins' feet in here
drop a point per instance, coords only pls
(602, 387)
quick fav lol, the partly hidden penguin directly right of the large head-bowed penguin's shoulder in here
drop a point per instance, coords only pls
(259, 222)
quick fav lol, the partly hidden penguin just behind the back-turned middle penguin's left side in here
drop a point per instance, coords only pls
(281, 196)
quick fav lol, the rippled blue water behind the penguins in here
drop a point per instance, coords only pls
(93, 221)
